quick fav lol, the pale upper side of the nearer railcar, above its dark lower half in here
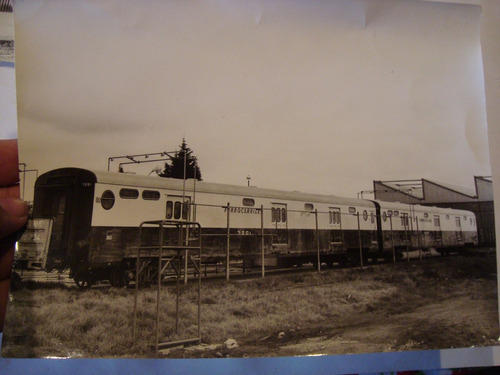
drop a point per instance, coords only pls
(126, 200)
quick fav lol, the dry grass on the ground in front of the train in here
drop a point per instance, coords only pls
(59, 321)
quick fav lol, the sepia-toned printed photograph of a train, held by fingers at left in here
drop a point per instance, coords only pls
(218, 179)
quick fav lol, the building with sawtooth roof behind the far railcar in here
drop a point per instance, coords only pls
(431, 193)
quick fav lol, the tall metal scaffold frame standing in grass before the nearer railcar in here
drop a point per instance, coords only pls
(165, 245)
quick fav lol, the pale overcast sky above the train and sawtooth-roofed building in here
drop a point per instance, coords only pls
(315, 96)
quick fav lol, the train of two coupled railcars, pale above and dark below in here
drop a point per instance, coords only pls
(96, 217)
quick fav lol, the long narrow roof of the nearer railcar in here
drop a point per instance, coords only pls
(154, 182)
